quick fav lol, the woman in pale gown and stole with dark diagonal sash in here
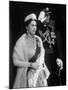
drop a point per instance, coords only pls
(28, 56)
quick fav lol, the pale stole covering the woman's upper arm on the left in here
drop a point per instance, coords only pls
(18, 54)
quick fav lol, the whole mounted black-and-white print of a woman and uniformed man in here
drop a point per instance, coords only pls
(37, 44)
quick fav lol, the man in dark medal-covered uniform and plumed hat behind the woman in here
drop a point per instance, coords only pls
(53, 47)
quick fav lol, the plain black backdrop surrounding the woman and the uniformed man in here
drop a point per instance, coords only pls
(17, 13)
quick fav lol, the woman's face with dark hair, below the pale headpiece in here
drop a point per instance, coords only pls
(32, 27)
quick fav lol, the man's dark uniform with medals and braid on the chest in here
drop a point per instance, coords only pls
(53, 50)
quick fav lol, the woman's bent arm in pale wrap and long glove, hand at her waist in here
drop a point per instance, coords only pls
(19, 60)
